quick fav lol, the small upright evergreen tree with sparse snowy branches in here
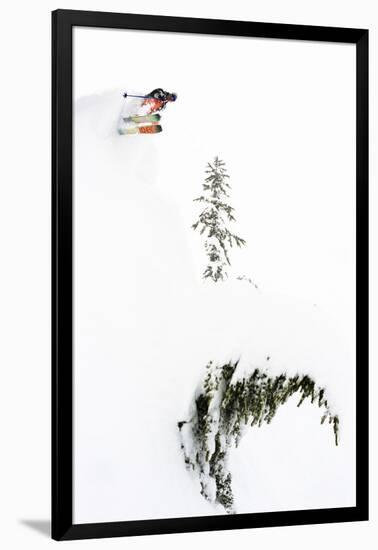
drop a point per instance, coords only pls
(214, 219)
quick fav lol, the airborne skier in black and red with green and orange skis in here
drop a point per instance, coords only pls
(143, 112)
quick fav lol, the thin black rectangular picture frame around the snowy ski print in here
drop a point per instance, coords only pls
(63, 22)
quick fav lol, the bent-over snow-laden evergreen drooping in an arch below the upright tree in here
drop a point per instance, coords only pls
(223, 409)
